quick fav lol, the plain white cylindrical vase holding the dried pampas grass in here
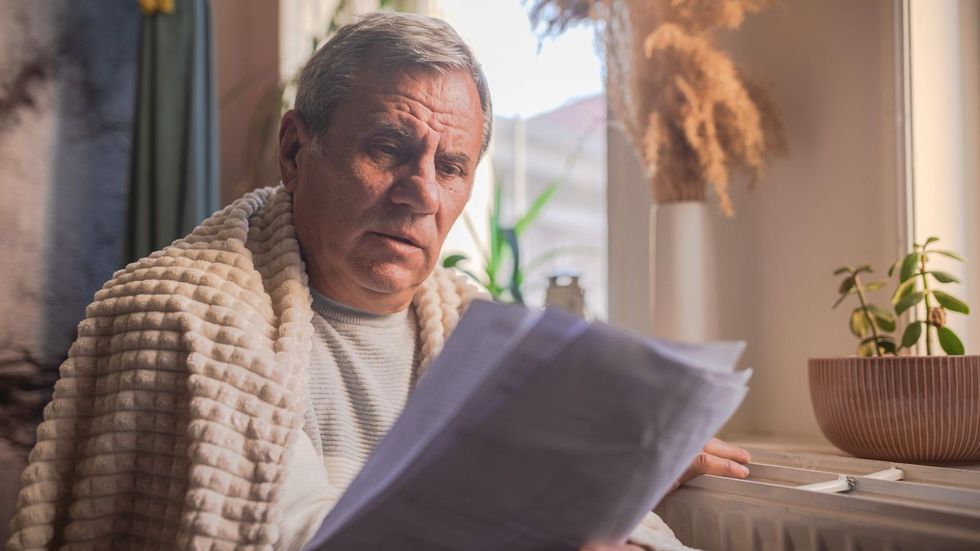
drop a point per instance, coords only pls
(683, 289)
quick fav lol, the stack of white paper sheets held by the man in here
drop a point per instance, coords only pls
(536, 430)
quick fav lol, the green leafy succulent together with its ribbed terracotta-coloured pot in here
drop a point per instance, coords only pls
(889, 401)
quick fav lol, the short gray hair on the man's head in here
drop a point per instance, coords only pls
(386, 41)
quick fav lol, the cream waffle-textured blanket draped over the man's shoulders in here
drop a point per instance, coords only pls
(170, 424)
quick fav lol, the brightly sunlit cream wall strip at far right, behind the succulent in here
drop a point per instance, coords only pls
(945, 84)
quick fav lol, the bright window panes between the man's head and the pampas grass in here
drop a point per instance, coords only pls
(549, 127)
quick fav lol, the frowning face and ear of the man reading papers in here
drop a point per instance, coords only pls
(394, 171)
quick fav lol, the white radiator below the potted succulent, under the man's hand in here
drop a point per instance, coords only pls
(816, 502)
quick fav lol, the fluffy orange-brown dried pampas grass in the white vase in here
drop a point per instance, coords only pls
(692, 116)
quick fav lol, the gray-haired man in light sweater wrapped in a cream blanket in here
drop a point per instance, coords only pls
(223, 392)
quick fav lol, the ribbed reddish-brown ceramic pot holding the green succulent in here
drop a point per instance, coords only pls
(914, 409)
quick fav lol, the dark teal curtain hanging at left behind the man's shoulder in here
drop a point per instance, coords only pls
(174, 173)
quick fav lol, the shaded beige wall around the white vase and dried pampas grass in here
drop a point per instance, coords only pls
(831, 67)
